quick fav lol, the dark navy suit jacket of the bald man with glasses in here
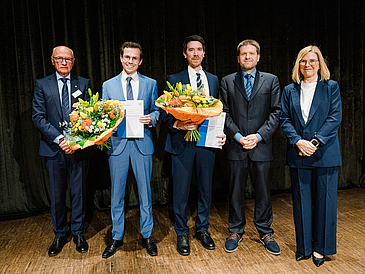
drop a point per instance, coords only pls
(47, 112)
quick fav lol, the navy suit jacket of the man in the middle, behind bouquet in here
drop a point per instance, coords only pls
(175, 142)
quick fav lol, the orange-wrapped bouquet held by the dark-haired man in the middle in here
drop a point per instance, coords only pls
(186, 104)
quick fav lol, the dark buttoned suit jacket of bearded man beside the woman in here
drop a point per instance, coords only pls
(260, 114)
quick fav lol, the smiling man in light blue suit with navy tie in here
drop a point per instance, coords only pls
(131, 85)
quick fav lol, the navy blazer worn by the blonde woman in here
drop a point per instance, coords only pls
(323, 122)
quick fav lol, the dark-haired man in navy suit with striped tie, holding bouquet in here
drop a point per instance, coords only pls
(183, 153)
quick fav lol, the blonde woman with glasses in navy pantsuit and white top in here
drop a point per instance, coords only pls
(310, 118)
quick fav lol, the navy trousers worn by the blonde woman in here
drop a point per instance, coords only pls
(315, 209)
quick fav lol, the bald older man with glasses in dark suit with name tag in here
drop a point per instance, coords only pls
(54, 96)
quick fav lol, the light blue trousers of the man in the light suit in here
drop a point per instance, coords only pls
(142, 169)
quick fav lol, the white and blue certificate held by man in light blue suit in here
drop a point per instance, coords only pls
(130, 127)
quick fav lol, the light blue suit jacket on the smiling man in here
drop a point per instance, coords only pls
(112, 89)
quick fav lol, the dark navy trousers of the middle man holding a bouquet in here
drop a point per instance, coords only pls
(182, 169)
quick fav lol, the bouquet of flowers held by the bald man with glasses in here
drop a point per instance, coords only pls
(92, 123)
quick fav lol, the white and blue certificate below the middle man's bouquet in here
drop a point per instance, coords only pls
(210, 129)
